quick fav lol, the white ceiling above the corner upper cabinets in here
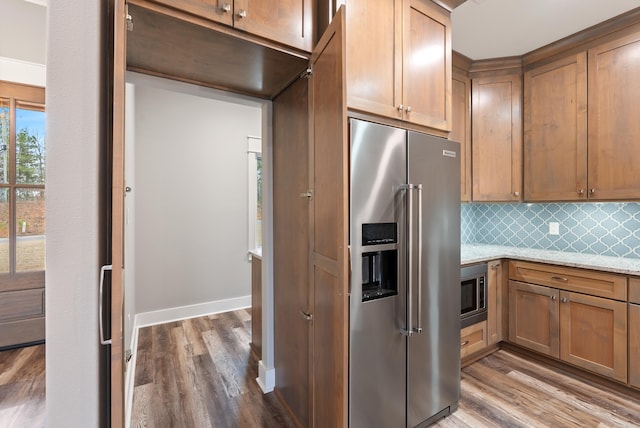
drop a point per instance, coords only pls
(484, 29)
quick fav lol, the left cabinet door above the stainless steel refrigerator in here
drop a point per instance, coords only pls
(374, 58)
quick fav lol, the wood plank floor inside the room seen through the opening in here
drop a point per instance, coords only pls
(201, 373)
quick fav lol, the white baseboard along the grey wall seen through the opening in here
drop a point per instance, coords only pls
(192, 311)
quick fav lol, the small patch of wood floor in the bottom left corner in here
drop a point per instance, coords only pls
(22, 387)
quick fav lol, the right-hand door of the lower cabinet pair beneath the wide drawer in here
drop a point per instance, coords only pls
(593, 334)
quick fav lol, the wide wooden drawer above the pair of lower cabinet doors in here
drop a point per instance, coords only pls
(608, 285)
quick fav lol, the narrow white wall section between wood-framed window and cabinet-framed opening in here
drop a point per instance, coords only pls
(73, 118)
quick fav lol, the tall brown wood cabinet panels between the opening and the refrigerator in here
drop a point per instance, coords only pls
(310, 239)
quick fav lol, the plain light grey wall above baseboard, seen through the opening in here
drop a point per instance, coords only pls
(190, 194)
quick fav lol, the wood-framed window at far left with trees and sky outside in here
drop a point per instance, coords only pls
(22, 179)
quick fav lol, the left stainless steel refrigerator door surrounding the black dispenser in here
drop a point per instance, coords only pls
(377, 357)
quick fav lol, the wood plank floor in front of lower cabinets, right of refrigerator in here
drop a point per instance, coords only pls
(505, 390)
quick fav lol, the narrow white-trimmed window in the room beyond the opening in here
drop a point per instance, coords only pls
(254, 151)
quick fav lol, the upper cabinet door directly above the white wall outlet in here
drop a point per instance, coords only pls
(555, 131)
